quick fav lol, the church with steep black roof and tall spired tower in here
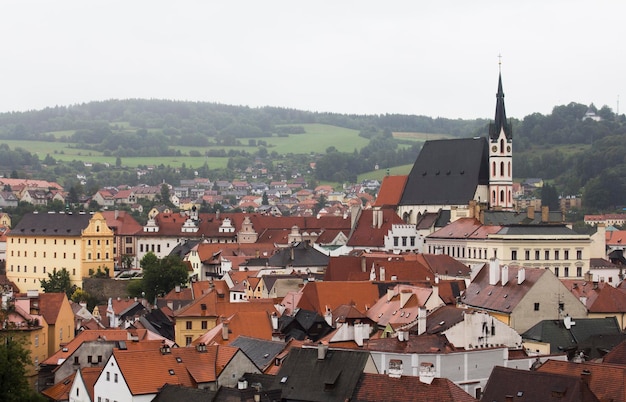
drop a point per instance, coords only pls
(450, 173)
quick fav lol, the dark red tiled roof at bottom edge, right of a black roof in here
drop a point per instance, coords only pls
(381, 387)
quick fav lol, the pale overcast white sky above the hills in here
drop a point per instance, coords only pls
(433, 58)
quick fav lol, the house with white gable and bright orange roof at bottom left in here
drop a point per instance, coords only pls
(138, 375)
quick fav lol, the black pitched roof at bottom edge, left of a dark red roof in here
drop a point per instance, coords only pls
(305, 377)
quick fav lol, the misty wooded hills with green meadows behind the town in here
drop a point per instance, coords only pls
(576, 155)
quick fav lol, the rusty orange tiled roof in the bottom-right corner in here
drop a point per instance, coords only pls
(606, 381)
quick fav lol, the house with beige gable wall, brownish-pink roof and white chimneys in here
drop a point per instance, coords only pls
(521, 297)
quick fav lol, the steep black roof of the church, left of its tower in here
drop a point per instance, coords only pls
(447, 172)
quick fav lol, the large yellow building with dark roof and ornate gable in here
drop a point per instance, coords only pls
(40, 243)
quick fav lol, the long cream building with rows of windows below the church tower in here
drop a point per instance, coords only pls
(521, 239)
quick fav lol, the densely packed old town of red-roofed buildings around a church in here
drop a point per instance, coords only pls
(450, 284)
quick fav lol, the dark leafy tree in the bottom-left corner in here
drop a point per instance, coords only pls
(14, 358)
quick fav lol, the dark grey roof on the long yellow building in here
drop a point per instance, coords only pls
(51, 225)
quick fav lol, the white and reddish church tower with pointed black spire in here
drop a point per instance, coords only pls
(500, 157)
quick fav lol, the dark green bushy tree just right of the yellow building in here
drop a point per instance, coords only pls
(162, 275)
